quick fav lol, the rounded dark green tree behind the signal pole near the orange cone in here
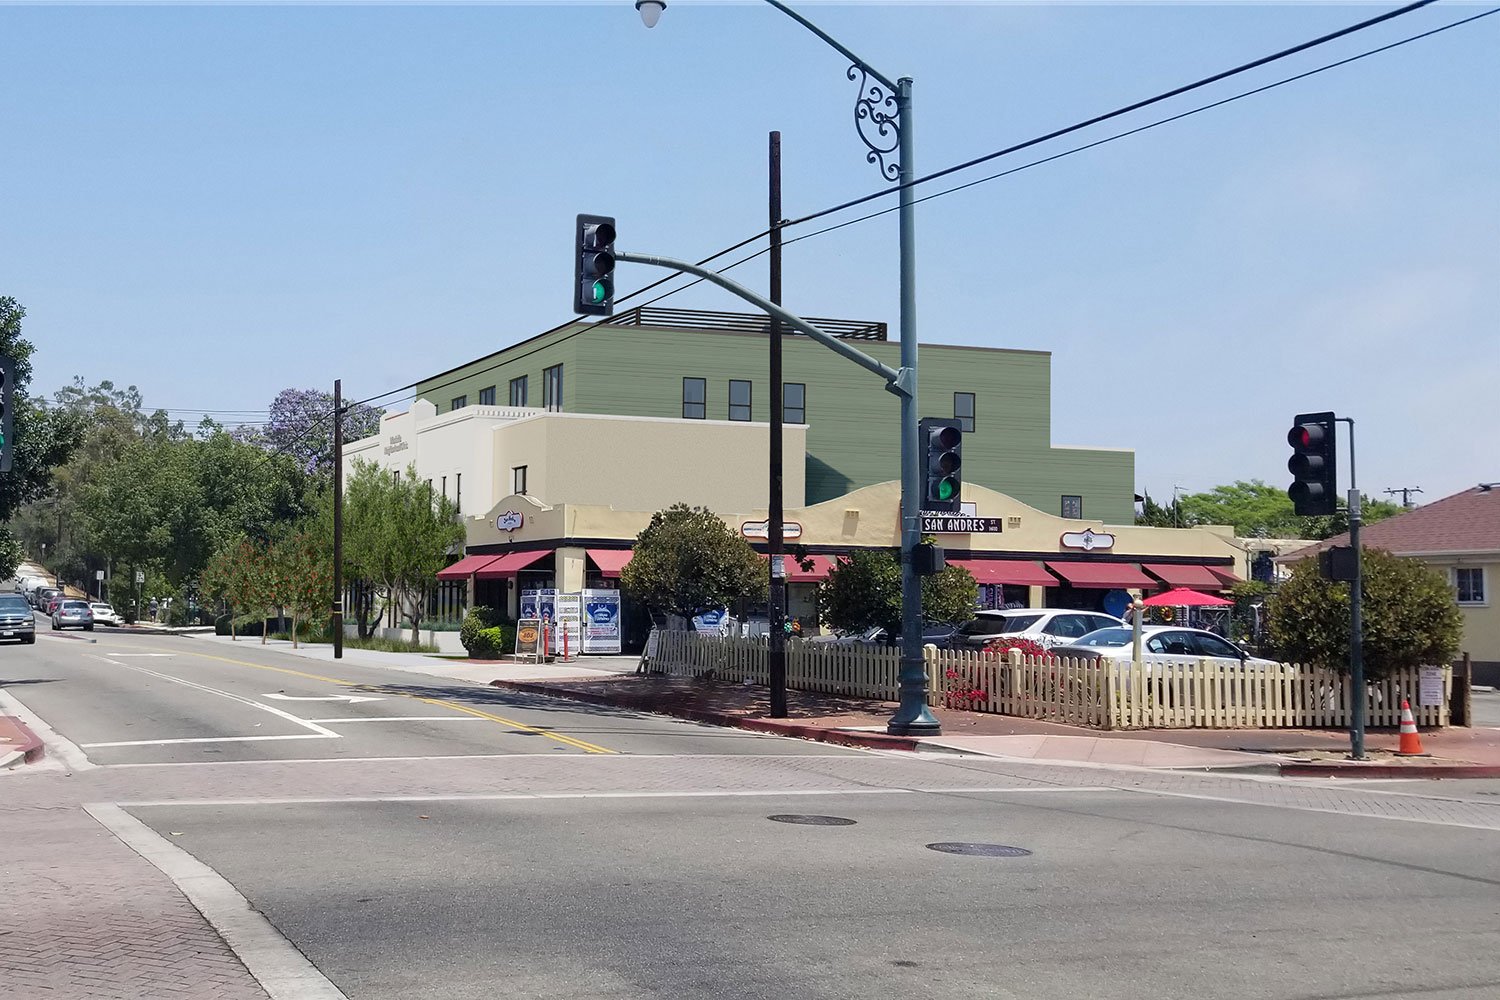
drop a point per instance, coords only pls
(1411, 617)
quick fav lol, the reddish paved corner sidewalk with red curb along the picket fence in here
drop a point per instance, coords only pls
(862, 723)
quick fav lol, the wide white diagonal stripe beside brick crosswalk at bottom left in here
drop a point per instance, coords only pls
(277, 965)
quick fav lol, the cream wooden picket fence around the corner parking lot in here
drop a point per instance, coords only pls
(1096, 693)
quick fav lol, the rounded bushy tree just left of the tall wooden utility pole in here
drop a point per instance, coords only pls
(688, 561)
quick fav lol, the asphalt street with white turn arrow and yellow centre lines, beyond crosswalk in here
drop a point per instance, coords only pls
(130, 699)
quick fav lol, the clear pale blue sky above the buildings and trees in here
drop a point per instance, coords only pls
(215, 203)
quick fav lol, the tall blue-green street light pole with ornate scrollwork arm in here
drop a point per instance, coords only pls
(884, 122)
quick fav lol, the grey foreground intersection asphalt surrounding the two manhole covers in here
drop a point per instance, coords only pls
(1123, 896)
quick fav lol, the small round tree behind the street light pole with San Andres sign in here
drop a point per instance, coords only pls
(865, 591)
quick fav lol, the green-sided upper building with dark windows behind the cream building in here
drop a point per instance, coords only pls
(683, 364)
